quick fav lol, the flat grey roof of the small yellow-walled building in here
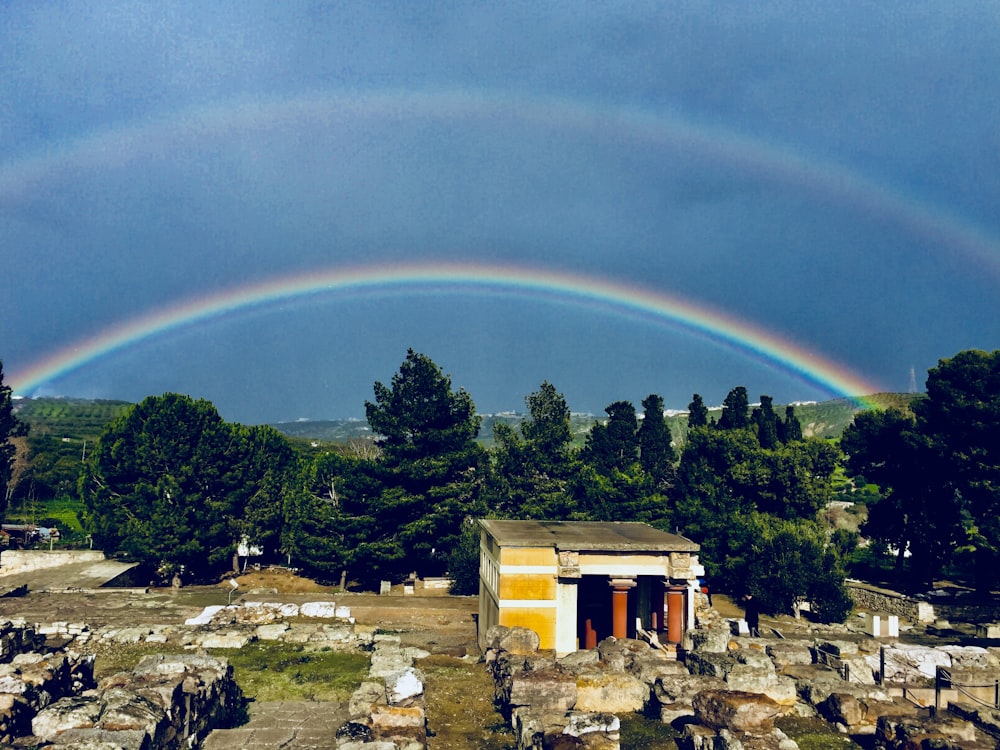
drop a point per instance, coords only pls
(582, 536)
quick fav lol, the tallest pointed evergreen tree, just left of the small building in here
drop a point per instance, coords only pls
(431, 469)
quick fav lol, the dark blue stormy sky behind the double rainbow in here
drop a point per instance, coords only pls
(827, 172)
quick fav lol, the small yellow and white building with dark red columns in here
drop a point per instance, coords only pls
(578, 582)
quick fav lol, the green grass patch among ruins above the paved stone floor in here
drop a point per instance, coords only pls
(276, 671)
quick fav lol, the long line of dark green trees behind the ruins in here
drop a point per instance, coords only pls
(173, 485)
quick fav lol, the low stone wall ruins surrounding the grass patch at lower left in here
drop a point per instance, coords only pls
(48, 696)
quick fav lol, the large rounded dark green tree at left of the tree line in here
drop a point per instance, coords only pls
(170, 483)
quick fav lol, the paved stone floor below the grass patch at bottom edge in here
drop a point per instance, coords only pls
(287, 724)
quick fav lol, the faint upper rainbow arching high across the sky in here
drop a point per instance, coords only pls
(159, 137)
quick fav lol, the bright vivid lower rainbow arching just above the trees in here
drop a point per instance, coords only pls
(749, 339)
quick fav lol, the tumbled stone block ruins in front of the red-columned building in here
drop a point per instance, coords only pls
(727, 692)
